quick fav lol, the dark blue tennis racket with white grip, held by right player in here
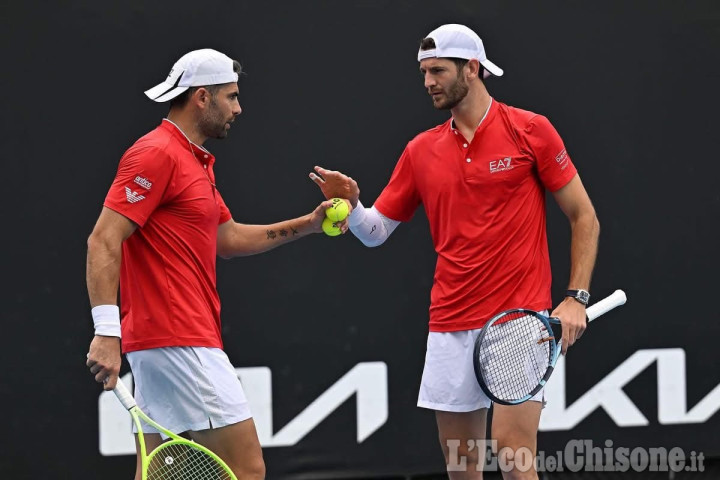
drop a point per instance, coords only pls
(516, 351)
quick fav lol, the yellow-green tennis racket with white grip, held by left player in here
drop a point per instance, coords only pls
(177, 458)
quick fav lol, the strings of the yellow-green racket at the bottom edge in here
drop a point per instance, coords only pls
(186, 462)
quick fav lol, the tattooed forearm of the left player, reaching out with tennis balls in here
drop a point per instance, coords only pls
(245, 240)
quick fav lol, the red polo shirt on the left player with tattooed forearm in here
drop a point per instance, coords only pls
(165, 184)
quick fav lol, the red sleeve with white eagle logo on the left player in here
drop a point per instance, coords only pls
(141, 183)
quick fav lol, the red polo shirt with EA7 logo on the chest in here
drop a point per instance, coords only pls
(485, 202)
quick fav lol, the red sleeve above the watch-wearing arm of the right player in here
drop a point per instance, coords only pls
(553, 163)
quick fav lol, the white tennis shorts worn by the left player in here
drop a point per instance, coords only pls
(187, 388)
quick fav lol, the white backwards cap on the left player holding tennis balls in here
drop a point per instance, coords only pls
(195, 69)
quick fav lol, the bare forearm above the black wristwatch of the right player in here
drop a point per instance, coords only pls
(583, 250)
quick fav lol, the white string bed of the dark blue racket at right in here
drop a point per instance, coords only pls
(514, 355)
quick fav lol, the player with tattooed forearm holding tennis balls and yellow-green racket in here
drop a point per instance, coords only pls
(161, 228)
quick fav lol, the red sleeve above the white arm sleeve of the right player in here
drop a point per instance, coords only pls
(400, 198)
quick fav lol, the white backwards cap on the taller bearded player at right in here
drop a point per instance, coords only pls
(458, 41)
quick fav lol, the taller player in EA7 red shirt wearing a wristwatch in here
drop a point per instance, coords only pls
(481, 177)
